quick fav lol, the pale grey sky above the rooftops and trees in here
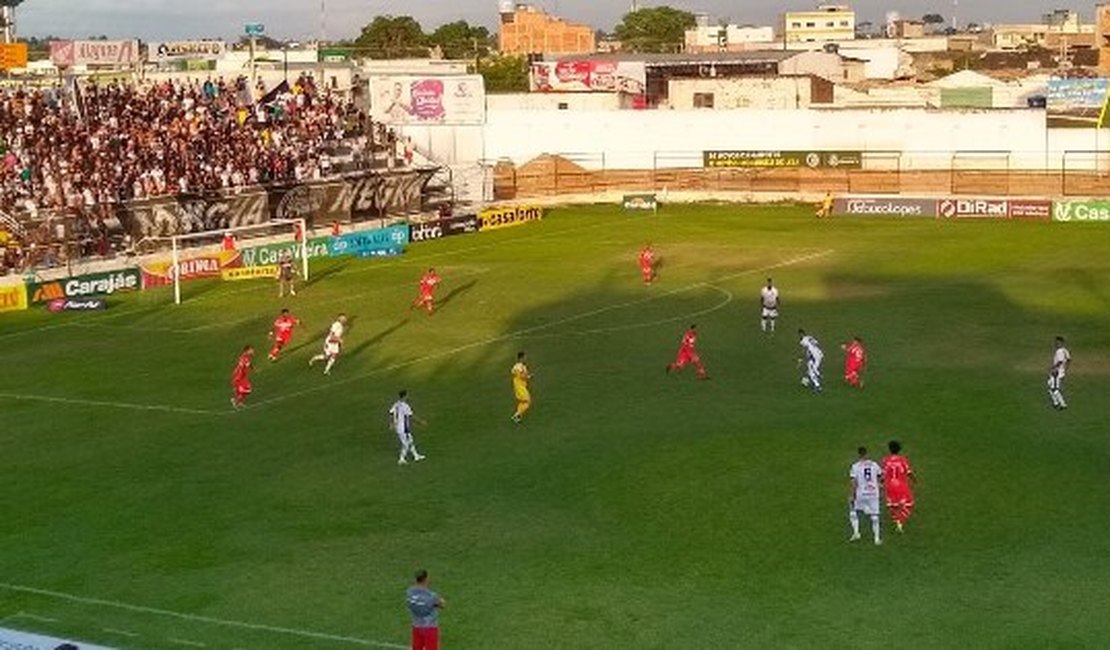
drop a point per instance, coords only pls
(300, 19)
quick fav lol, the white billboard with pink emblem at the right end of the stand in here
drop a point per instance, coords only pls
(428, 100)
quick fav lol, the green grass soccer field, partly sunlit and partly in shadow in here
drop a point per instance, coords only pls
(632, 510)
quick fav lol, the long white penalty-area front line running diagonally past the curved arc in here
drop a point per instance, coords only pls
(527, 331)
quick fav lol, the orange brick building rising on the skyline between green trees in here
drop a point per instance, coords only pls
(529, 31)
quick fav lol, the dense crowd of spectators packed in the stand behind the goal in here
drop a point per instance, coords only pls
(79, 153)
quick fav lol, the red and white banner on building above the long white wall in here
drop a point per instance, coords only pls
(588, 76)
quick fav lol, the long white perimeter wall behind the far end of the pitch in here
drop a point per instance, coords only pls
(644, 139)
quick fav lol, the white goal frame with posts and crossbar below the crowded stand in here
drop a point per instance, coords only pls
(273, 235)
